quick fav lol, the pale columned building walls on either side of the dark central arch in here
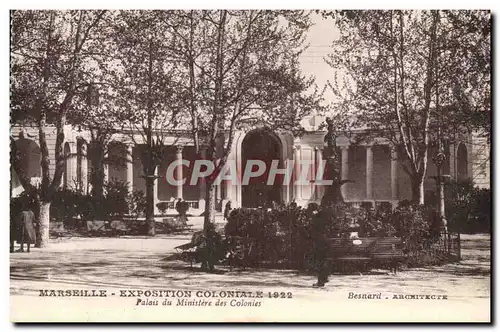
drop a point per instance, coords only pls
(307, 148)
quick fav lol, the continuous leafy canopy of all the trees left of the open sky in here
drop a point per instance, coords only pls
(154, 72)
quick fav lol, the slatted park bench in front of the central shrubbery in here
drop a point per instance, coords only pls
(384, 251)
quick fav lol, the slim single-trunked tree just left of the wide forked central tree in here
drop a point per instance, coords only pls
(147, 94)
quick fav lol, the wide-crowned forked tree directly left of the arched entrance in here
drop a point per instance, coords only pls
(240, 72)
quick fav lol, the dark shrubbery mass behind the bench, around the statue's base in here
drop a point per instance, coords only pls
(282, 236)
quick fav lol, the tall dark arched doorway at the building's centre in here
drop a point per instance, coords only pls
(265, 146)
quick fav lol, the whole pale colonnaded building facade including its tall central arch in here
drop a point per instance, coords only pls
(373, 168)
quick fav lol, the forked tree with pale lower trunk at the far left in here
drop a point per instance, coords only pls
(49, 53)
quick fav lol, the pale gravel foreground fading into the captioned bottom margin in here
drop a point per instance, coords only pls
(140, 263)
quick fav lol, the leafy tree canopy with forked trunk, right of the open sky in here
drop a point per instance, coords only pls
(412, 77)
